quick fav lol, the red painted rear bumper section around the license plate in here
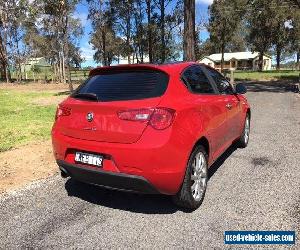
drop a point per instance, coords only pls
(158, 157)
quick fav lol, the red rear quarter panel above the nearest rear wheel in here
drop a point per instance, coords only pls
(194, 118)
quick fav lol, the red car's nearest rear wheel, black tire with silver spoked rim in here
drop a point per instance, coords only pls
(186, 197)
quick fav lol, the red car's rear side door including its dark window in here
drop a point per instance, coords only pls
(211, 106)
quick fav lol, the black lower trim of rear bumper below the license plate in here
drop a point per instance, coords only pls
(119, 181)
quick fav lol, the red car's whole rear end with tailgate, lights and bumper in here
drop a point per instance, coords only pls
(113, 131)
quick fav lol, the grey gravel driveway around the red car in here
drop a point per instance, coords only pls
(257, 188)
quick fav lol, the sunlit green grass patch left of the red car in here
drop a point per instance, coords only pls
(21, 121)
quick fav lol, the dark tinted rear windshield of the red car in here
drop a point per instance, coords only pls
(124, 85)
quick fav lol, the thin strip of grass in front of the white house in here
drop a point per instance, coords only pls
(267, 75)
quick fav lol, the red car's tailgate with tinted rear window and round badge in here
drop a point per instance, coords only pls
(95, 104)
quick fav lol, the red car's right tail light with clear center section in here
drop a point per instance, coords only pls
(158, 118)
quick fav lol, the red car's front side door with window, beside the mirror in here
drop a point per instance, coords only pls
(232, 103)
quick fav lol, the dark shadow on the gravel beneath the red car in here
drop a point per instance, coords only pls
(136, 203)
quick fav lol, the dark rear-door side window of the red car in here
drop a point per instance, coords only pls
(197, 81)
